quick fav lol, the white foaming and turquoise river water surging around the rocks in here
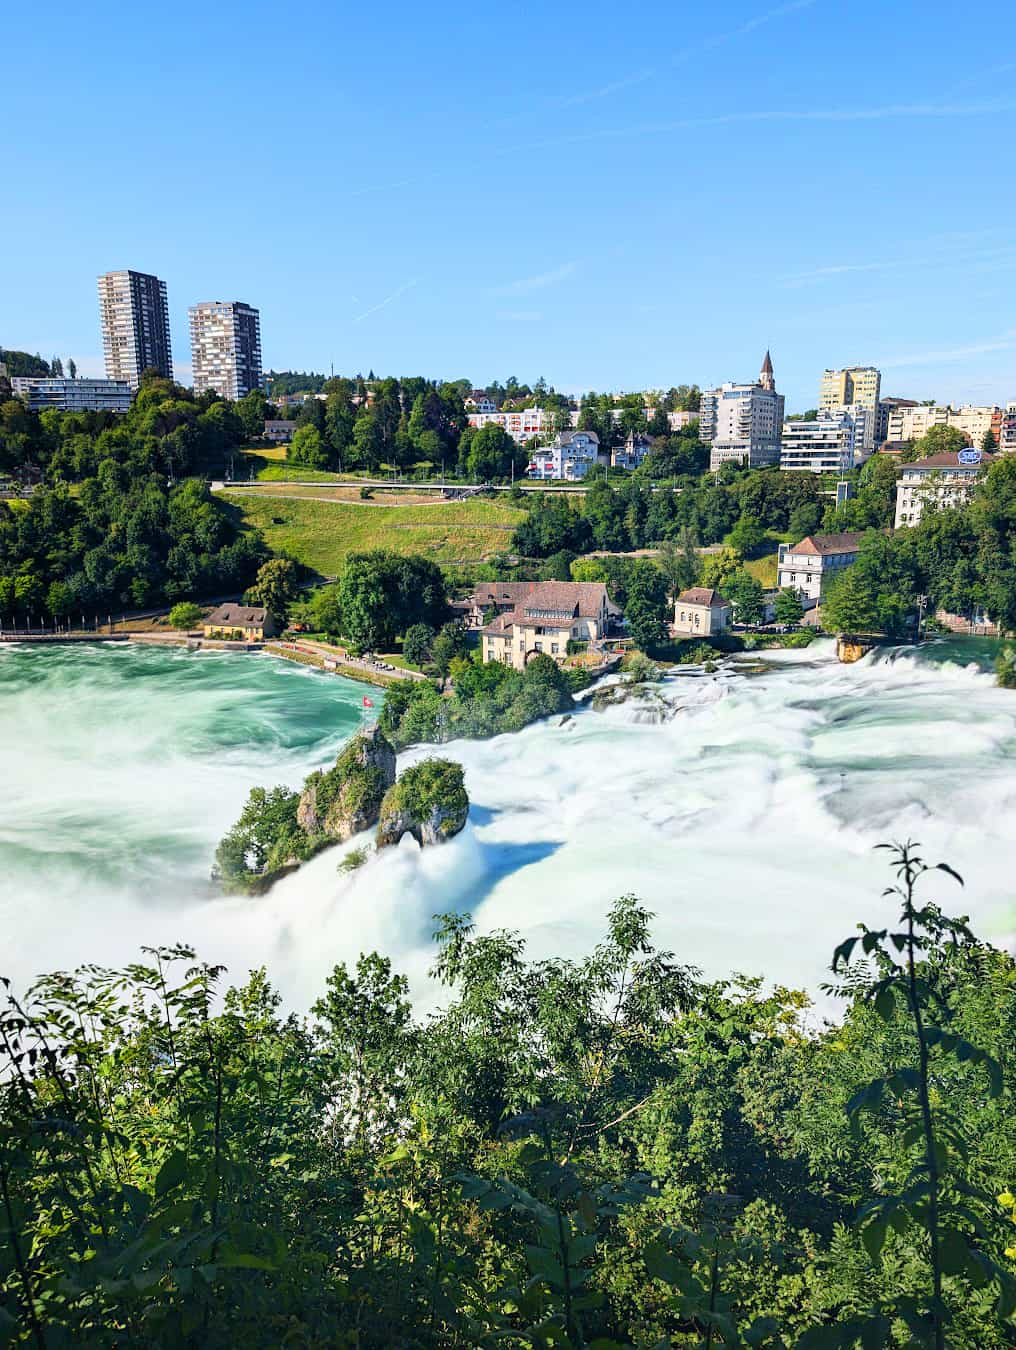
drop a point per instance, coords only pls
(747, 821)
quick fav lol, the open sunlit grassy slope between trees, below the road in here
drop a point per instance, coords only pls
(322, 534)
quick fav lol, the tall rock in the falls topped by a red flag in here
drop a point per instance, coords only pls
(343, 801)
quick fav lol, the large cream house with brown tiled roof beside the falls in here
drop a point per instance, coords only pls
(544, 620)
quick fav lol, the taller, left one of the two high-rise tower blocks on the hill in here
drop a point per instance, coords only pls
(134, 313)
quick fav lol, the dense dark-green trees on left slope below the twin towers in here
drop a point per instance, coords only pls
(122, 518)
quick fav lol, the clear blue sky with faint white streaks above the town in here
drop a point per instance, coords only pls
(606, 196)
